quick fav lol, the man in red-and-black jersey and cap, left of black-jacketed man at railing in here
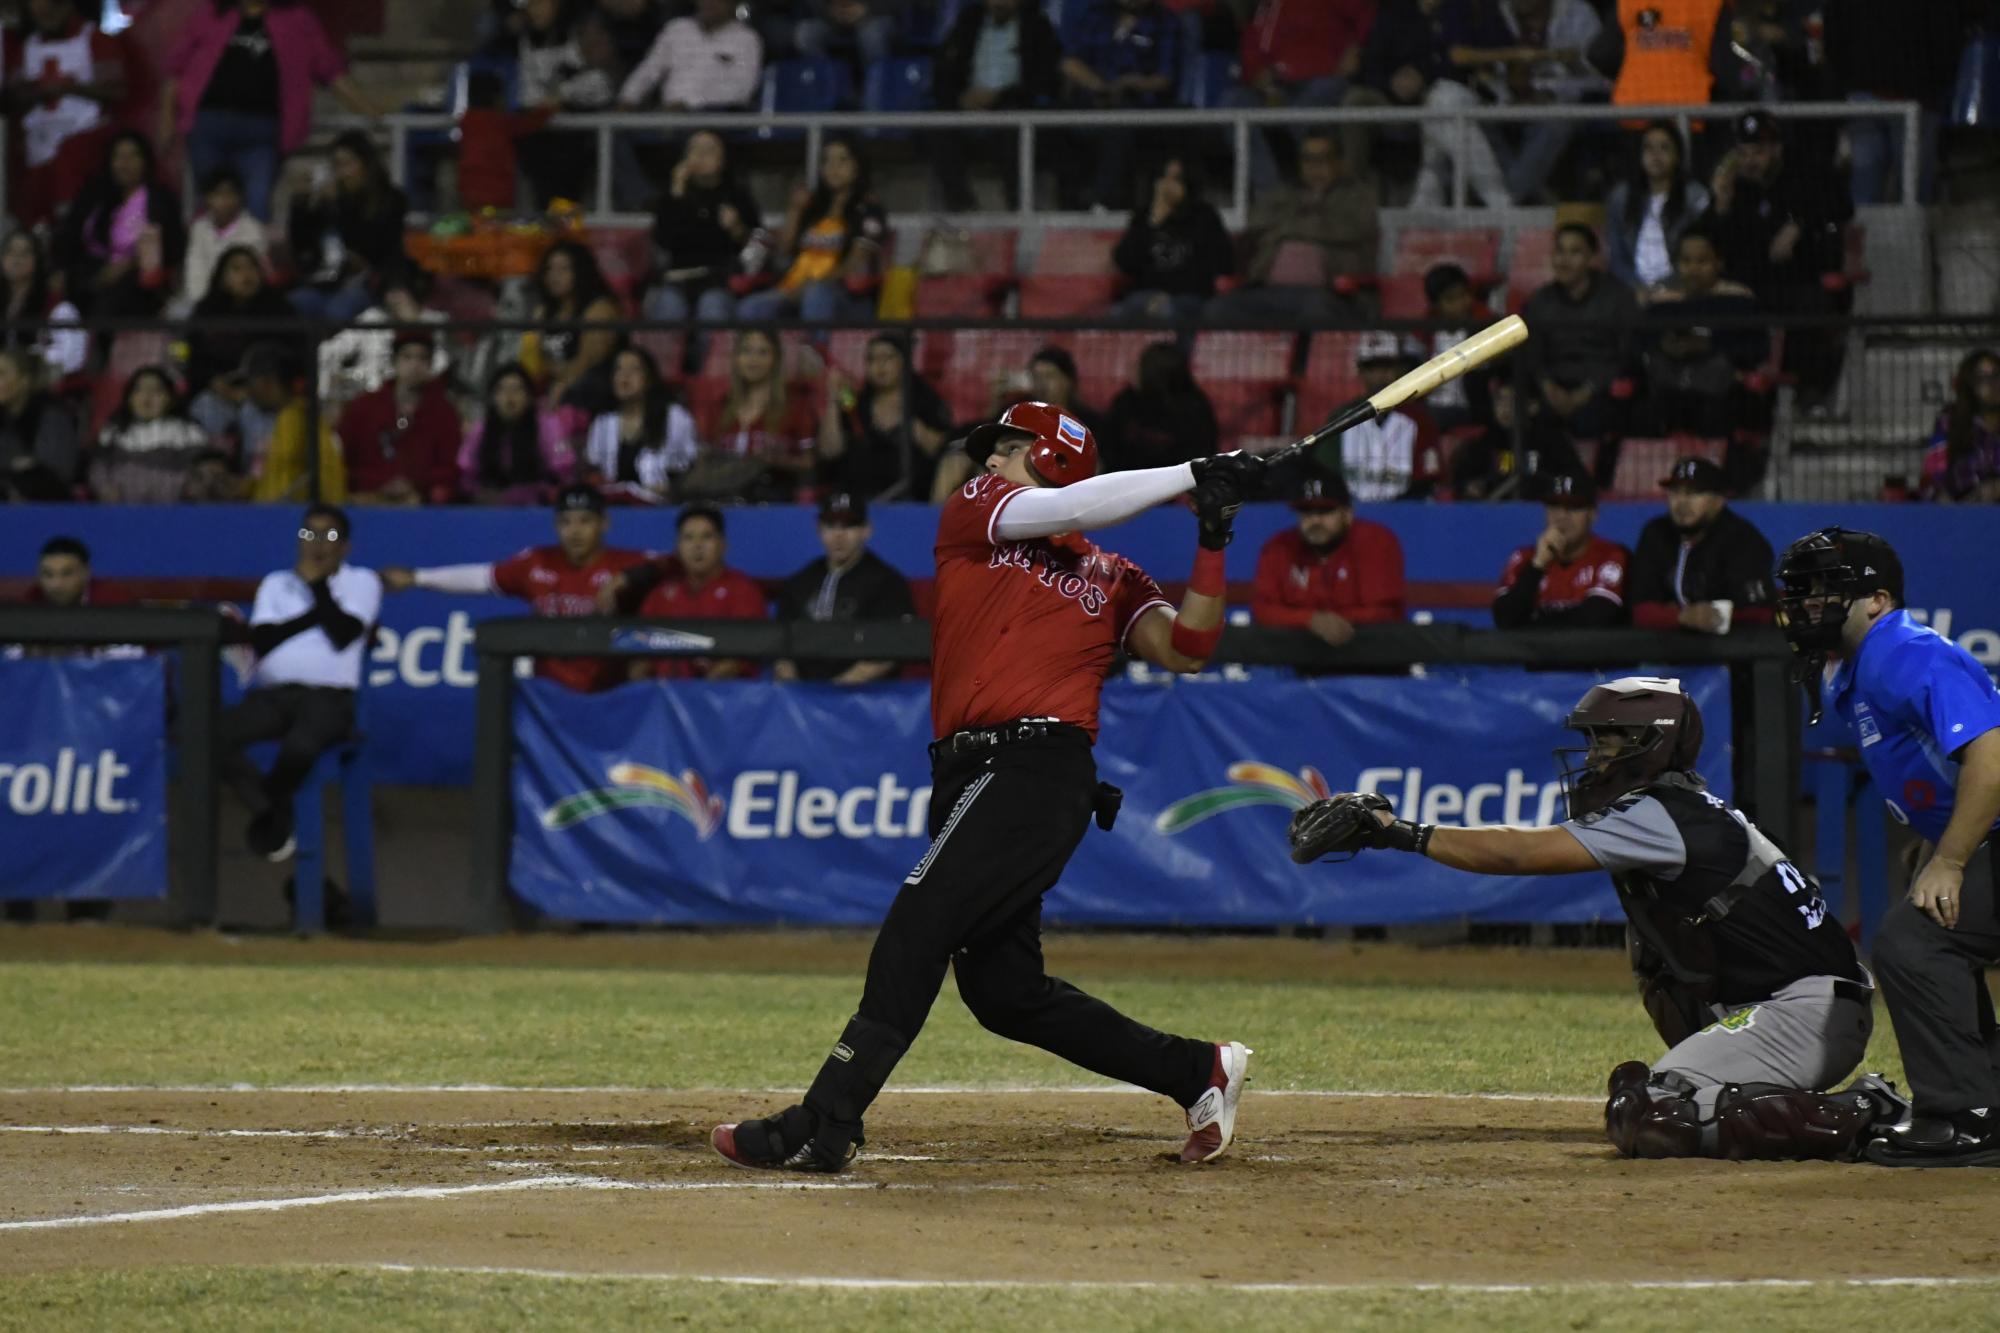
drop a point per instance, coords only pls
(1569, 577)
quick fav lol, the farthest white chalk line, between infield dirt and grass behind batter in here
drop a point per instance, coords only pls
(935, 1090)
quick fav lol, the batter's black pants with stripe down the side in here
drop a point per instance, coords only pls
(1005, 822)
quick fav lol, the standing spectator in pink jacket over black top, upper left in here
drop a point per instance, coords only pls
(239, 89)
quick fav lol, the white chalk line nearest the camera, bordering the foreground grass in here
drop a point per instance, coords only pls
(979, 1284)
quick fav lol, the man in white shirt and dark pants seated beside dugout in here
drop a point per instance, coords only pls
(311, 631)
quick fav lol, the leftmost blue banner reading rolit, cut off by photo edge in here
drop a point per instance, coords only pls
(83, 778)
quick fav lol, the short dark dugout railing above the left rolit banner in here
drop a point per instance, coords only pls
(195, 639)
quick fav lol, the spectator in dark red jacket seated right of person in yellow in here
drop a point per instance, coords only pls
(401, 441)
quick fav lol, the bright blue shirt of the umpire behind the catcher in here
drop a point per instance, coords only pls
(1913, 700)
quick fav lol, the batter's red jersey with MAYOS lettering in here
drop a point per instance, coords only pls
(1025, 629)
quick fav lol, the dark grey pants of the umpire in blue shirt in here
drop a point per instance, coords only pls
(1935, 984)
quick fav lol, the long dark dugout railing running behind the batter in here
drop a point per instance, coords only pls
(1767, 738)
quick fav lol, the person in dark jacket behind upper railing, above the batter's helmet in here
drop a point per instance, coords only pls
(1001, 55)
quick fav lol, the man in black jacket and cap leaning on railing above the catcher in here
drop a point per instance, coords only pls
(1699, 565)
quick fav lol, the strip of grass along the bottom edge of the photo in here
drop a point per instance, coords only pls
(199, 1300)
